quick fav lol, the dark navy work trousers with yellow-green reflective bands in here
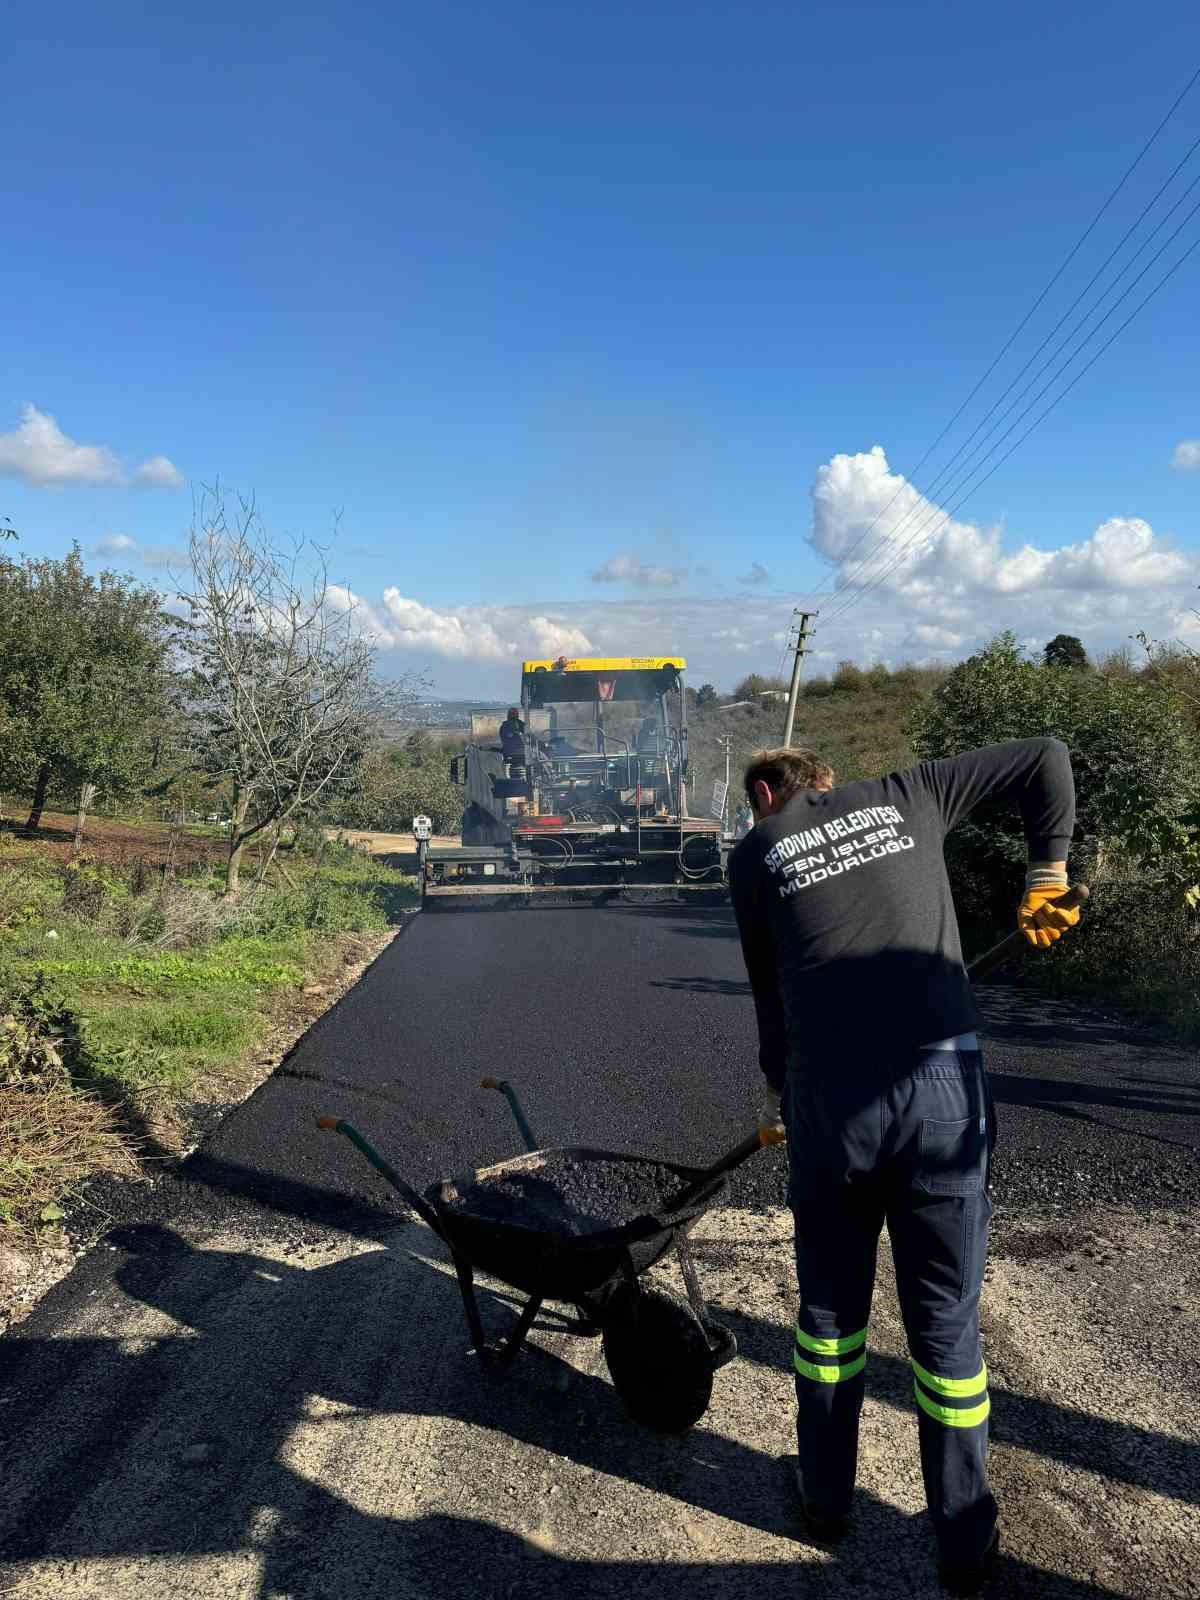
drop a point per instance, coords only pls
(908, 1145)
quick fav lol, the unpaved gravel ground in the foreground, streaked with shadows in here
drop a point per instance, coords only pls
(303, 1420)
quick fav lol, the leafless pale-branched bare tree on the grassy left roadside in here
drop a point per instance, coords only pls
(284, 700)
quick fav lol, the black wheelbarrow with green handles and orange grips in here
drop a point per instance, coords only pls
(662, 1351)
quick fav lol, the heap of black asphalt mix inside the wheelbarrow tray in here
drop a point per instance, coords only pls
(570, 1194)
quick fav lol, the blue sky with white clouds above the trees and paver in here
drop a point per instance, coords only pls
(534, 294)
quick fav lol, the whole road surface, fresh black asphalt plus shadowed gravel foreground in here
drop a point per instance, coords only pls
(258, 1385)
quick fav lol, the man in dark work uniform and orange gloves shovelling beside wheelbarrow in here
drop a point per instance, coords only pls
(868, 1044)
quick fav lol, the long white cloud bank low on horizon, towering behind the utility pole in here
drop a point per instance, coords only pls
(954, 591)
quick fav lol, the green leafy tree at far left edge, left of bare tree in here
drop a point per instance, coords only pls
(84, 668)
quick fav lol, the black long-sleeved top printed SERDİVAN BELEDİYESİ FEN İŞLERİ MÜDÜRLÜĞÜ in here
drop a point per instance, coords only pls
(846, 911)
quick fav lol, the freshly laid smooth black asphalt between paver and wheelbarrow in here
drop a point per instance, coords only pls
(631, 1028)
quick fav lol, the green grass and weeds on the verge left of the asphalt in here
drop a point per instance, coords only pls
(124, 994)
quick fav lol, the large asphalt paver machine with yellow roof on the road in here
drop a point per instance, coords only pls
(588, 794)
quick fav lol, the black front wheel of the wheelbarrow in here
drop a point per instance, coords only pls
(660, 1359)
